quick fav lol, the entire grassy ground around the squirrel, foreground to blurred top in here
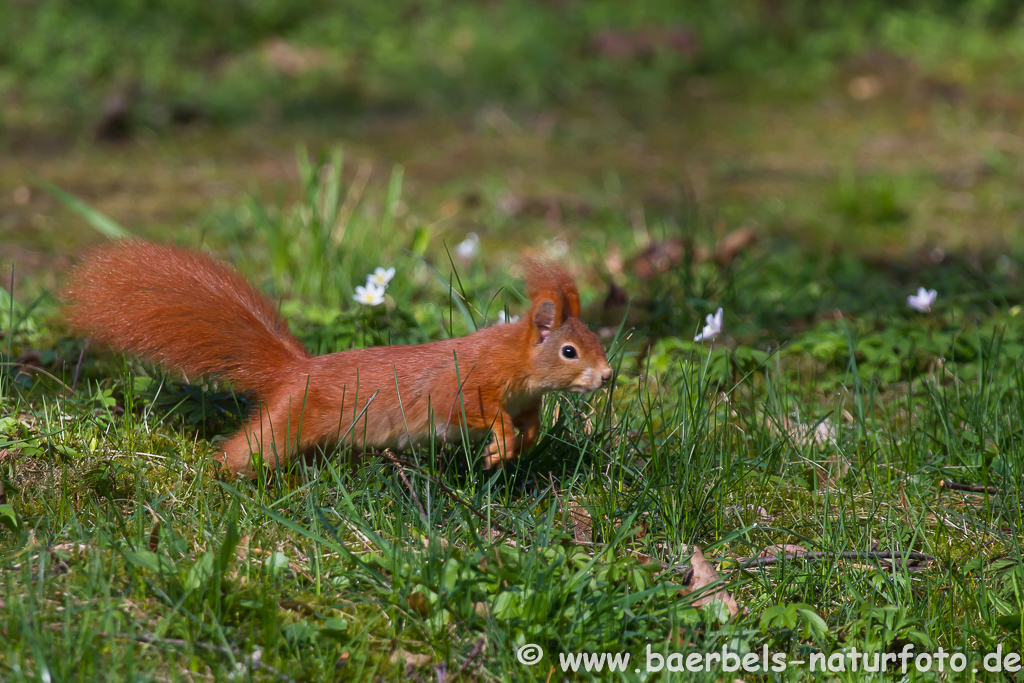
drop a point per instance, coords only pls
(826, 416)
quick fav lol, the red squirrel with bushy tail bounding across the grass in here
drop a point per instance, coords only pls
(188, 312)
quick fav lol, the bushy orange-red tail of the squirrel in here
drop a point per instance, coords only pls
(183, 310)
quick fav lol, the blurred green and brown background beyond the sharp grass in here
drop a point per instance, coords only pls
(889, 129)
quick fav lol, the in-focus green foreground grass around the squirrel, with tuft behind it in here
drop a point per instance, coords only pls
(125, 558)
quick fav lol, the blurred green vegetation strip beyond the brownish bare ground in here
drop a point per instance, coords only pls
(275, 61)
